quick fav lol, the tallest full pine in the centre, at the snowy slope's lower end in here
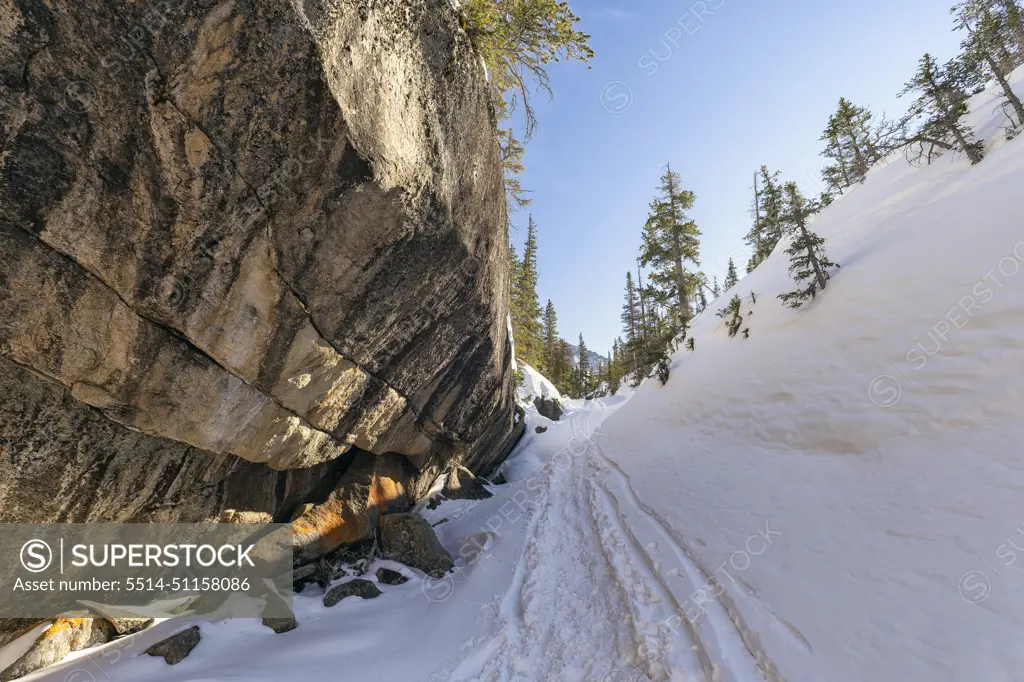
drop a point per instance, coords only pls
(671, 240)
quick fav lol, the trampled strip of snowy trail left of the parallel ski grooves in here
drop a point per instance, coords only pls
(560, 620)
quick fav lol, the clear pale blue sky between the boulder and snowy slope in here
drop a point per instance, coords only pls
(717, 88)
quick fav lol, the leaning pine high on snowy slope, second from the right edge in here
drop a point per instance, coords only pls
(941, 105)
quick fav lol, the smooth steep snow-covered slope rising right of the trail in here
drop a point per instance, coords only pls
(876, 434)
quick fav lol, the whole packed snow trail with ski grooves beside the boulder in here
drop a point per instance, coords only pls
(604, 591)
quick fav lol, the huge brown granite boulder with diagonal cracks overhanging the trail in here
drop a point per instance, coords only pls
(241, 243)
